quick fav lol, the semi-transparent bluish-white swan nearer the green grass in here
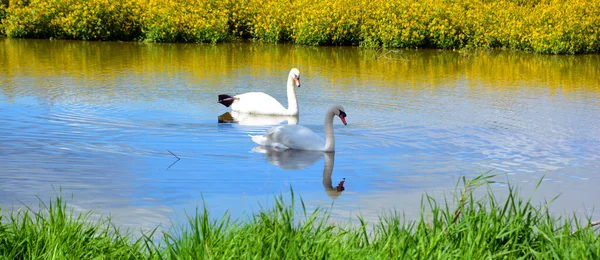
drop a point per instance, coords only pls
(300, 137)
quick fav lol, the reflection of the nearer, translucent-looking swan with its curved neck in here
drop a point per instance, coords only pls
(290, 159)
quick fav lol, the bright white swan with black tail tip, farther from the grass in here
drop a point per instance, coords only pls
(261, 103)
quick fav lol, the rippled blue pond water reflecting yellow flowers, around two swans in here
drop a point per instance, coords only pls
(104, 122)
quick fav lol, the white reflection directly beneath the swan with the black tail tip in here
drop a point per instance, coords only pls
(256, 119)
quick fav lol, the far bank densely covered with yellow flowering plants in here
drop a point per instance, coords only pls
(544, 26)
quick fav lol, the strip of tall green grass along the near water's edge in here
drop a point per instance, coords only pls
(473, 228)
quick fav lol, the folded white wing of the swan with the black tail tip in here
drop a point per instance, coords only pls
(258, 103)
